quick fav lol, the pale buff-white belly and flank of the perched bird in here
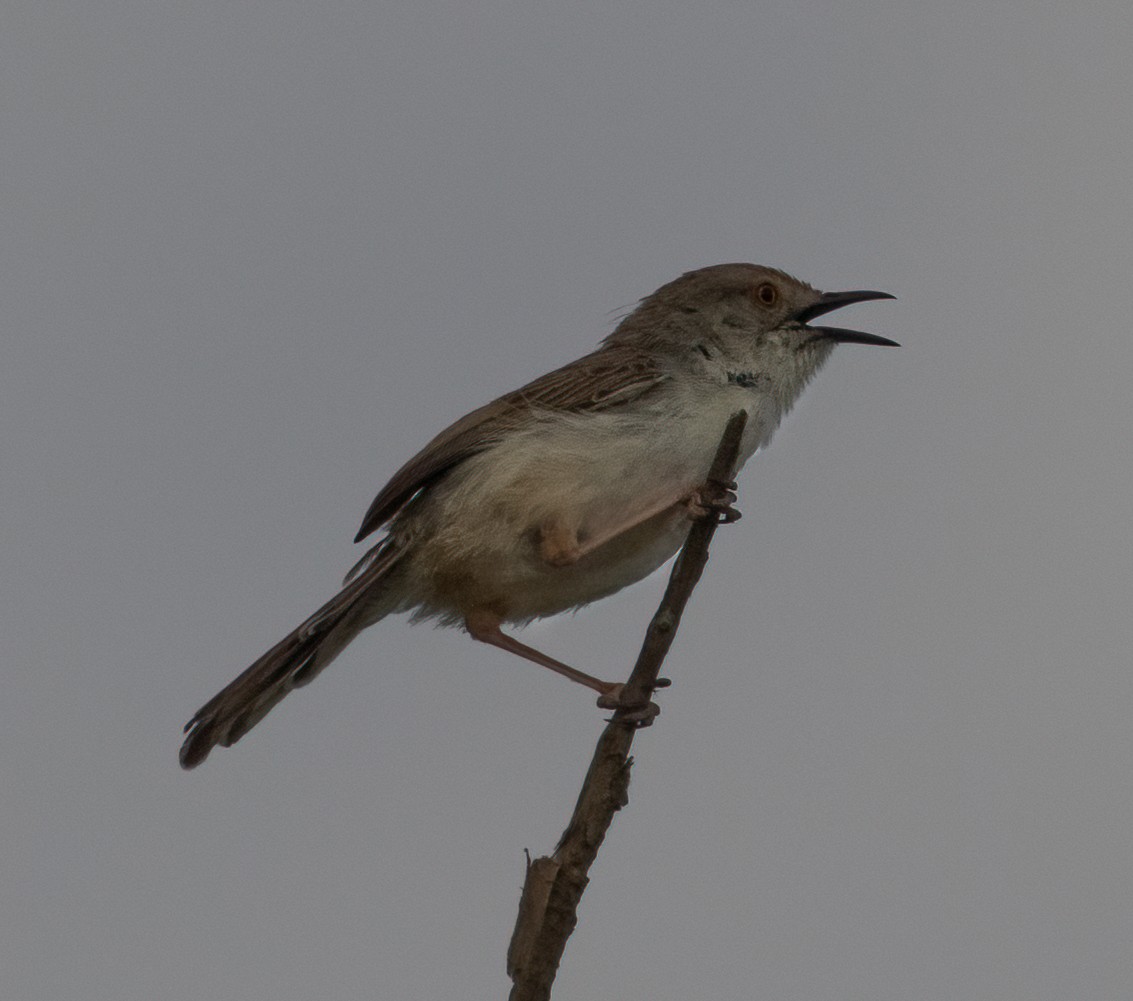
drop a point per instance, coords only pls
(479, 531)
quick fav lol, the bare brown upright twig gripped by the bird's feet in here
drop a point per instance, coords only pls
(555, 885)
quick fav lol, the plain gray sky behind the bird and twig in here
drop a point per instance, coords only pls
(255, 255)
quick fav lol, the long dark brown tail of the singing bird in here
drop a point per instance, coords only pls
(295, 660)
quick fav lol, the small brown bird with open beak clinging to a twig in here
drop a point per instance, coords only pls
(568, 489)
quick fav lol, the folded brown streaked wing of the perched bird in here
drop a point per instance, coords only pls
(608, 378)
